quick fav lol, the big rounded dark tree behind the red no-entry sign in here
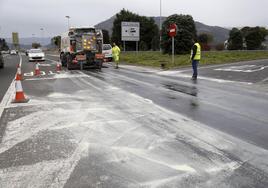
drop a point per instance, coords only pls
(185, 35)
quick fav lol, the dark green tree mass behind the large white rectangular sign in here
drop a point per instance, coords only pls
(148, 29)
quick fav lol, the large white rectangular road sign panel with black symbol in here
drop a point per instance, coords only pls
(130, 31)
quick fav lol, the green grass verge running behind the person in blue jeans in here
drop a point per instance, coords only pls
(155, 59)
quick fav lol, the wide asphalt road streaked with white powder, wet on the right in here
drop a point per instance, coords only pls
(136, 127)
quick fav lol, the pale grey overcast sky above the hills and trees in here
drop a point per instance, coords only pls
(28, 16)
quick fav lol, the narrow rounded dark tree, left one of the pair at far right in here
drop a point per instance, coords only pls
(235, 41)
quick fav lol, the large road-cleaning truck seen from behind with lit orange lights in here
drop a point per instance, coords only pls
(82, 48)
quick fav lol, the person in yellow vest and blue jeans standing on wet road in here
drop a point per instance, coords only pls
(195, 58)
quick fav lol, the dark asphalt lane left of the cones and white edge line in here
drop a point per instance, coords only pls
(7, 74)
